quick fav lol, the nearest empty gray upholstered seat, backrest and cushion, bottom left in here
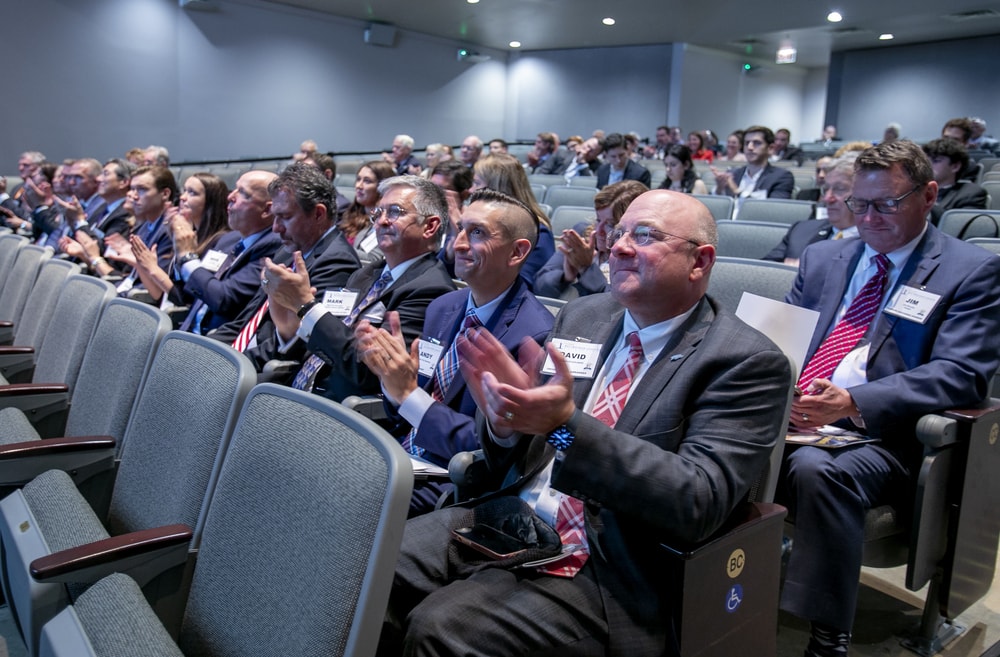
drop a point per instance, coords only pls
(297, 552)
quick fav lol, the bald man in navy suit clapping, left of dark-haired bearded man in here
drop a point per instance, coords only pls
(227, 278)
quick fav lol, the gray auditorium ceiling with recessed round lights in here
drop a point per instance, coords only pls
(756, 29)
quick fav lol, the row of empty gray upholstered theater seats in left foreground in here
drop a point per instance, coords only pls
(186, 506)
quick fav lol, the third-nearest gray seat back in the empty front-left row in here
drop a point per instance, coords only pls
(127, 336)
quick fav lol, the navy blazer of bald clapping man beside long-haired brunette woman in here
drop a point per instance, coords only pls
(228, 292)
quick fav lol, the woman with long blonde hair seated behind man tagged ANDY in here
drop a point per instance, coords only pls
(504, 173)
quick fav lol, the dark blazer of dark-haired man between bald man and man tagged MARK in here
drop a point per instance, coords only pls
(330, 263)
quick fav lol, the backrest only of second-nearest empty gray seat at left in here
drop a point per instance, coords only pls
(177, 432)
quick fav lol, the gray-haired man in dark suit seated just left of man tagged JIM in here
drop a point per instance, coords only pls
(839, 222)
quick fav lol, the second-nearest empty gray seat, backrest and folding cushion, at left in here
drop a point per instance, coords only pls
(179, 426)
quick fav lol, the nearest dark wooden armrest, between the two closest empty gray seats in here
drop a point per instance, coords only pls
(88, 563)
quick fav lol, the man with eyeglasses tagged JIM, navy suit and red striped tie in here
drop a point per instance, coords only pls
(909, 324)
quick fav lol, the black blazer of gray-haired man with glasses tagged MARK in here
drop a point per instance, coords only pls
(333, 341)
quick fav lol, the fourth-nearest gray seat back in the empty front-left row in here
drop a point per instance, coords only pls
(74, 318)
